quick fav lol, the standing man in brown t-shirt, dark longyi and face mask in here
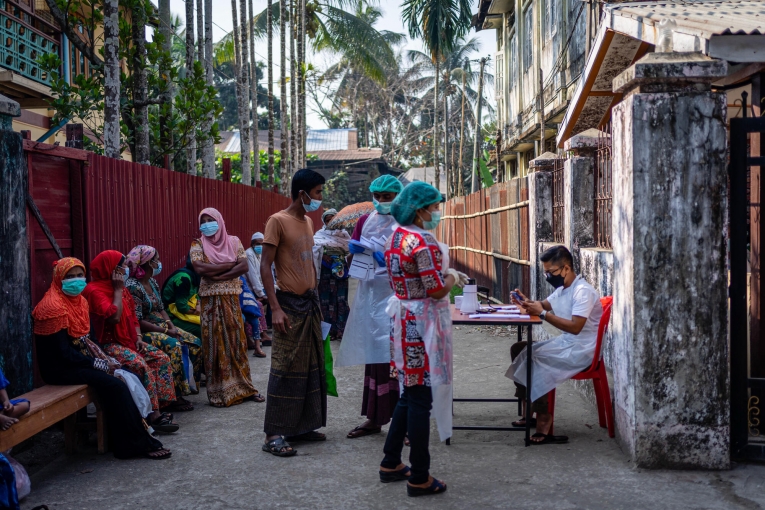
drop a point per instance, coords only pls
(297, 387)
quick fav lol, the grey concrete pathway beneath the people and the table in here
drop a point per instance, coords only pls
(217, 462)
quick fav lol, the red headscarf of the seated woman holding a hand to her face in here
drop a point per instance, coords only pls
(101, 269)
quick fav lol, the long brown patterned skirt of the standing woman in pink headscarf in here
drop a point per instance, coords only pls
(225, 351)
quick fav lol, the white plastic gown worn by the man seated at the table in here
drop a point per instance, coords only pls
(560, 358)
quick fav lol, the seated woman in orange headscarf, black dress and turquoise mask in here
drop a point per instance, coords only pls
(62, 330)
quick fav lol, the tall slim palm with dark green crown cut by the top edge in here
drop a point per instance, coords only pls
(439, 23)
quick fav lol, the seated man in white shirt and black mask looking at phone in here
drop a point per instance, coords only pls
(574, 309)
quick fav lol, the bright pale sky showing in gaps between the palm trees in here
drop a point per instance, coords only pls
(391, 20)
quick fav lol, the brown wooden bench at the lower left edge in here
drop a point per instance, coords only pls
(49, 405)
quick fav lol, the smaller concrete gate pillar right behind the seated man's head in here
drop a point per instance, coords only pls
(579, 192)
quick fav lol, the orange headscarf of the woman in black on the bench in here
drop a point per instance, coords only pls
(58, 311)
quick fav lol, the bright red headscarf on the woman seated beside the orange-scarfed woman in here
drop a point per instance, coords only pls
(100, 295)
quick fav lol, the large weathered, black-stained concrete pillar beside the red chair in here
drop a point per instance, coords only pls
(671, 381)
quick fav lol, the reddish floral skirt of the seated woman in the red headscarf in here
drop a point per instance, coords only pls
(152, 367)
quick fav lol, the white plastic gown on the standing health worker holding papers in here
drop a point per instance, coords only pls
(366, 339)
